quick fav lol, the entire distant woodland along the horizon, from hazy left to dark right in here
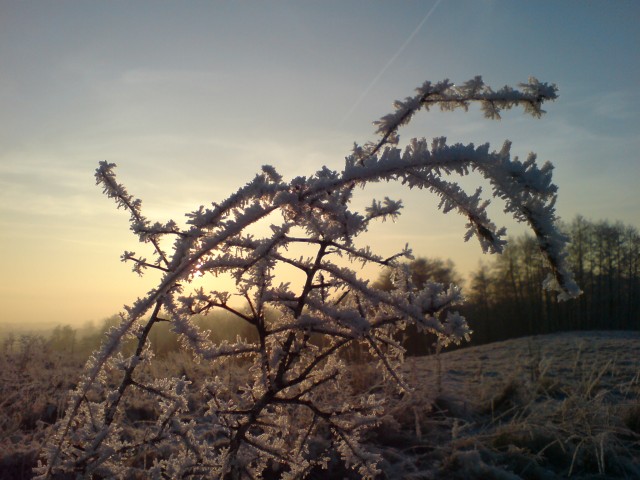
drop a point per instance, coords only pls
(505, 298)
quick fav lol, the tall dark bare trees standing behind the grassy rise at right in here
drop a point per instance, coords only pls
(506, 298)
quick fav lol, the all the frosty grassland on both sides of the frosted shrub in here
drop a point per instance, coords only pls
(555, 406)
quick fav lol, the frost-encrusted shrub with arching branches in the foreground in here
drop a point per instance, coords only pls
(292, 411)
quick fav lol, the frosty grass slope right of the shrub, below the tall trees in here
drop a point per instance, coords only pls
(540, 407)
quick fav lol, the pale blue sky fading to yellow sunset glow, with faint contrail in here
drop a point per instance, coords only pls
(191, 98)
